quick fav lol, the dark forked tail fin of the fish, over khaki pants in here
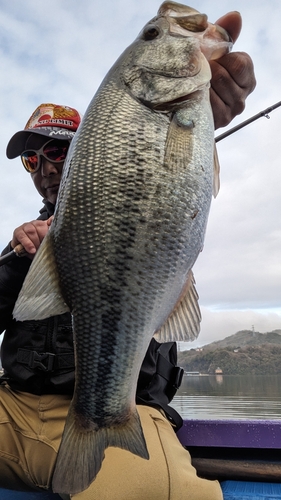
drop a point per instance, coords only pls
(82, 450)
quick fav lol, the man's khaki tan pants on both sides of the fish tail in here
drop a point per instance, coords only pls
(30, 433)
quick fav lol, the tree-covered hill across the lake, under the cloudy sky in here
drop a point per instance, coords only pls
(245, 352)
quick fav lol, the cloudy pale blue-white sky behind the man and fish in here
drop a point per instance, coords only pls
(59, 51)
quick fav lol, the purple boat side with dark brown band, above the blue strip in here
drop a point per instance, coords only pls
(240, 450)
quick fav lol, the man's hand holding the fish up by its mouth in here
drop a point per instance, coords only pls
(233, 77)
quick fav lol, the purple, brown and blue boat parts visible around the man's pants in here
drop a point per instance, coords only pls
(243, 455)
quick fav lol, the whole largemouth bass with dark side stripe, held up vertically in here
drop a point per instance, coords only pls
(129, 224)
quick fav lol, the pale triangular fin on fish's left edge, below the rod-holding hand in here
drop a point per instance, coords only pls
(40, 296)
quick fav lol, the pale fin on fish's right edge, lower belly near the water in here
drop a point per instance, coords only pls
(183, 324)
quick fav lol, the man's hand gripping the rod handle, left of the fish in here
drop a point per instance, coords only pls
(30, 235)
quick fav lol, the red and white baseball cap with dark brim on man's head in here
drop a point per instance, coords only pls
(52, 120)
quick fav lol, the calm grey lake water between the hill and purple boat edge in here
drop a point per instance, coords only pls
(229, 397)
